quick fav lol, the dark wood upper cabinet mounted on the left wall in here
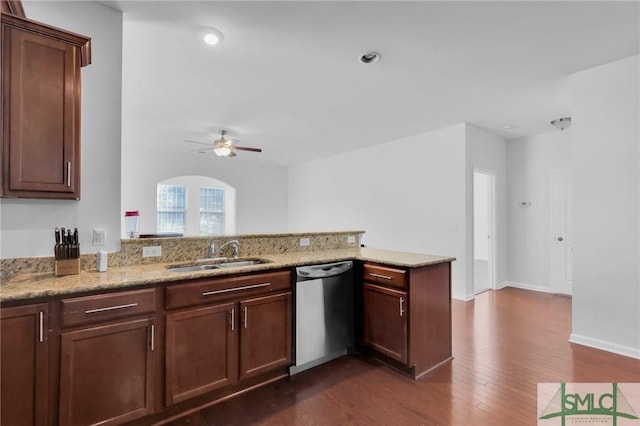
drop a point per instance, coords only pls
(41, 109)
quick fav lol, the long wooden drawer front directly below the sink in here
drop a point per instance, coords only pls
(211, 290)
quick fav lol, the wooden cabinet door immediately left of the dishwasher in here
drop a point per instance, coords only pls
(265, 334)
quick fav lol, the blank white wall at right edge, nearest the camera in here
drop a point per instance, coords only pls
(606, 167)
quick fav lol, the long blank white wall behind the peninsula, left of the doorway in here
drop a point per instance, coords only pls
(407, 194)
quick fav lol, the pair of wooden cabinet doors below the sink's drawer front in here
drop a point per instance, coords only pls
(216, 346)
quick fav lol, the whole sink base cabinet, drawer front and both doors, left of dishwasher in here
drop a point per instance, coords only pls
(221, 331)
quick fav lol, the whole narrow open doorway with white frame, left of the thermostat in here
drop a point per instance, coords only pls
(483, 225)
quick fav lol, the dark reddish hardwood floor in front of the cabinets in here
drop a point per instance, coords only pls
(504, 343)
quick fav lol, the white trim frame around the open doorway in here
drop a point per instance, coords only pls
(491, 204)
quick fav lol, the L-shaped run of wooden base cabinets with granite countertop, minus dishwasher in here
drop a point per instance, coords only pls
(175, 342)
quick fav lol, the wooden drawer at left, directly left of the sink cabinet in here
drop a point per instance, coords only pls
(105, 307)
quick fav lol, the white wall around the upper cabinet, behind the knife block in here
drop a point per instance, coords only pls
(27, 225)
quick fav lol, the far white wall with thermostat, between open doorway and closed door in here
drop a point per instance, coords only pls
(530, 162)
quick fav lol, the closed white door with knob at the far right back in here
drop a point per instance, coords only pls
(561, 264)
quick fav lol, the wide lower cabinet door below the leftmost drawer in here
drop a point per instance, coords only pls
(106, 373)
